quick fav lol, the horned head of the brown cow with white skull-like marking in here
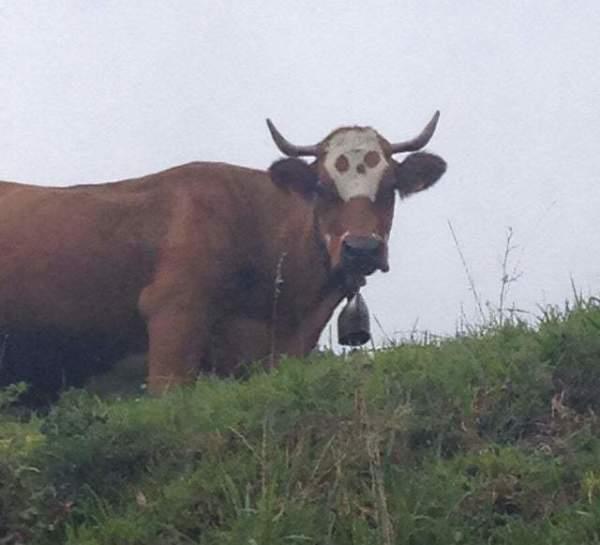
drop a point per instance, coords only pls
(353, 182)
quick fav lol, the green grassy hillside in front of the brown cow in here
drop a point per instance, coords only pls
(487, 438)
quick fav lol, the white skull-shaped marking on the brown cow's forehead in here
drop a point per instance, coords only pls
(345, 163)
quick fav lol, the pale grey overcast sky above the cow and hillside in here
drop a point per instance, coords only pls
(107, 90)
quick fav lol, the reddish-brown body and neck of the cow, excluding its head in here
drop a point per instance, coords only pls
(187, 257)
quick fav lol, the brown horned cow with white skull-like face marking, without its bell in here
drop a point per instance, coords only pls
(205, 265)
